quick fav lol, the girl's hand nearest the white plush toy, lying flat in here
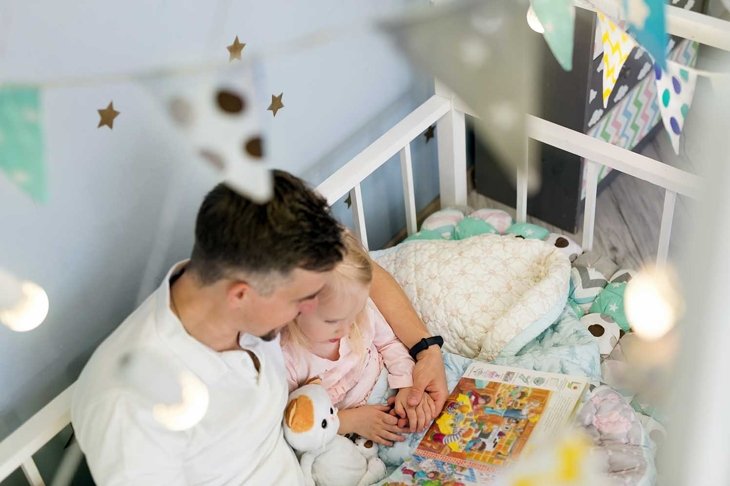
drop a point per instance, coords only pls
(372, 422)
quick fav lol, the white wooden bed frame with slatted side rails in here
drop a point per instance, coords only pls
(448, 113)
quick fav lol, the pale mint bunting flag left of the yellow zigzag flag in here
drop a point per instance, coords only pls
(558, 19)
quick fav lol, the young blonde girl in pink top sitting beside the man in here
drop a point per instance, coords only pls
(345, 342)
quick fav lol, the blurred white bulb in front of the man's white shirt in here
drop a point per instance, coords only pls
(178, 398)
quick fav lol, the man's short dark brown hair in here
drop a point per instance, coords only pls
(295, 229)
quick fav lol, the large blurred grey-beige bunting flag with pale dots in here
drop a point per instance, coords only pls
(485, 53)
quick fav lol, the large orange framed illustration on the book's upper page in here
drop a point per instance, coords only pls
(484, 423)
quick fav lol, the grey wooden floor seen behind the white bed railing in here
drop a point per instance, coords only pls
(628, 214)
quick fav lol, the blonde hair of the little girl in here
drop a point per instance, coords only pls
(356, 266)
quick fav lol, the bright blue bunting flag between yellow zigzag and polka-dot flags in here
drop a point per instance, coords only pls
(647, 25)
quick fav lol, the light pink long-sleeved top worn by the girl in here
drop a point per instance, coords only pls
(350, 379)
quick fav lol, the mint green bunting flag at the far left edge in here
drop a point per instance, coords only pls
(21, 140)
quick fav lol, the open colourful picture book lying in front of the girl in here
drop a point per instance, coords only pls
(492, 414)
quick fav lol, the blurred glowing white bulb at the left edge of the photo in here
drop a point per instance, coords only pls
(23, 304)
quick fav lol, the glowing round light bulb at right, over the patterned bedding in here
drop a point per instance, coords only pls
(653, 302)
